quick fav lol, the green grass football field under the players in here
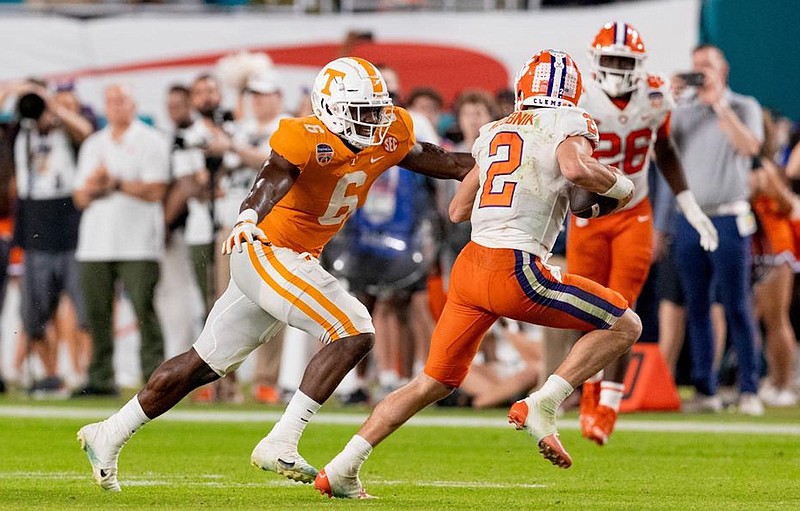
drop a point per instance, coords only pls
(198, 458)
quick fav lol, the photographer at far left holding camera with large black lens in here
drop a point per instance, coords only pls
(45, 157)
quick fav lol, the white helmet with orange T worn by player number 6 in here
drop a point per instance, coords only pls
(352, 100)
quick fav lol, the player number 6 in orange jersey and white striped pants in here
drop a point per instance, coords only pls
(318, 173)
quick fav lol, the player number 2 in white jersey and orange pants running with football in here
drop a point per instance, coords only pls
(517, 198)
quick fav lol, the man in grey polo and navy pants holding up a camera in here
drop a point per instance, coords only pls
(717, 132)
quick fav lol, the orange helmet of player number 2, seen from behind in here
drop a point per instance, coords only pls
(549, 79)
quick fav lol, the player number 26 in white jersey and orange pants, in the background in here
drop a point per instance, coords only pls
(632, 111)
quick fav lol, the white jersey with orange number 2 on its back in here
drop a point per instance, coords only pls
(522, 199)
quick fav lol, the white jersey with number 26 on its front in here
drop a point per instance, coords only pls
(628, 134)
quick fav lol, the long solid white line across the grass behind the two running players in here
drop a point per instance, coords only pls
(349, 419)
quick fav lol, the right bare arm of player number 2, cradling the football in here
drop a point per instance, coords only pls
(578, 166)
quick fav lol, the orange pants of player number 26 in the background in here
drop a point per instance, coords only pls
(614, 250)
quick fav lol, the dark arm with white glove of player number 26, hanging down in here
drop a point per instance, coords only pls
(670, 165)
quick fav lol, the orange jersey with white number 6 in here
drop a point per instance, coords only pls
(333, 180)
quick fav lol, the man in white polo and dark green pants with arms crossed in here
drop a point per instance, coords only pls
(123, 171)
